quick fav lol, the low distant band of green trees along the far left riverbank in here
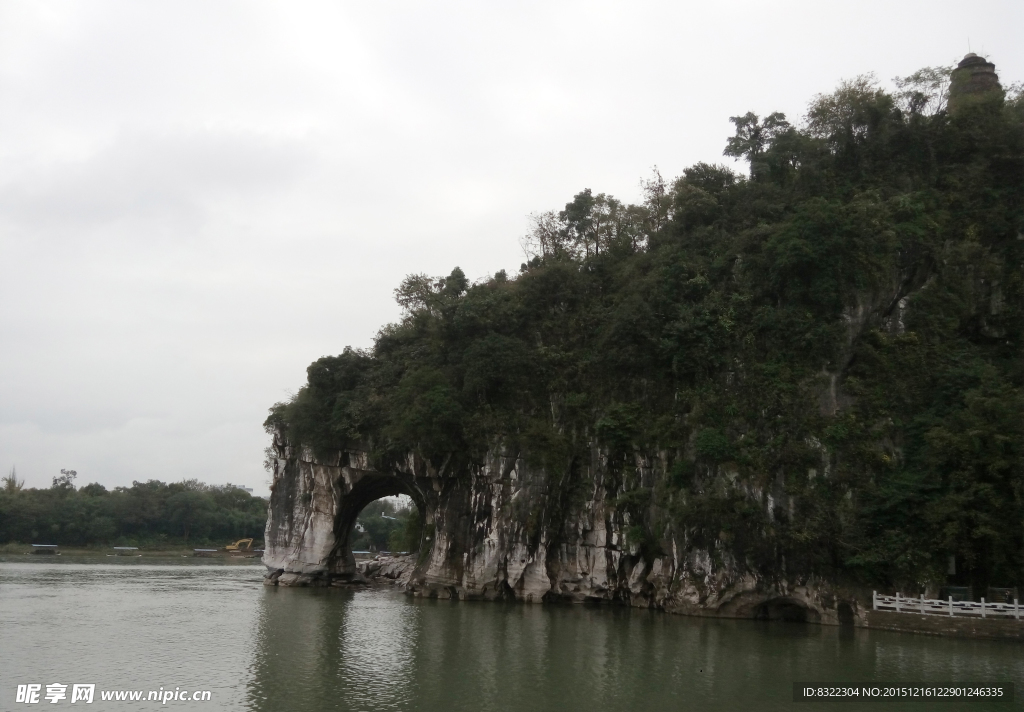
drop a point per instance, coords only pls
(151, 514)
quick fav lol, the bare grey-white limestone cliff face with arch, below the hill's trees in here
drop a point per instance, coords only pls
(506, 530)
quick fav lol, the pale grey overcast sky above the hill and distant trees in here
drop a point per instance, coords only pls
(198, 199)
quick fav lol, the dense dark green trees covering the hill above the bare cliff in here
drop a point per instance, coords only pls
(828, 353)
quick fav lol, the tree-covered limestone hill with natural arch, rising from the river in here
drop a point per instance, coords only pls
(755, 396)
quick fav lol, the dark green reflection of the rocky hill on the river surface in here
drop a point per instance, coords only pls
(377, 650)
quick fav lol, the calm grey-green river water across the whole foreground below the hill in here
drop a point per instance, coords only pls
(134, 624)
